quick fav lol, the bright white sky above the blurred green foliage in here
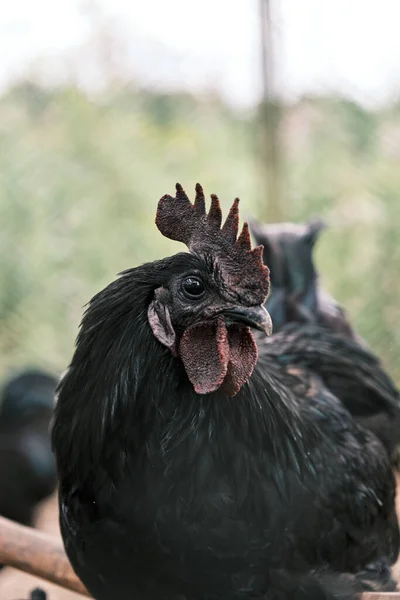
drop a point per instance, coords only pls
(351, 46)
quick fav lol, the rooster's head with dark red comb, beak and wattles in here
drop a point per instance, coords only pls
(205, 311)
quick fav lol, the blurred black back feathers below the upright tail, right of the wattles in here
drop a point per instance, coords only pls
(351, 372)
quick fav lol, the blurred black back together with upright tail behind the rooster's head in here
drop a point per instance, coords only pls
(328, 345)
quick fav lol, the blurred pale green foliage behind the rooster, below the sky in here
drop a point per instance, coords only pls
(80, 178)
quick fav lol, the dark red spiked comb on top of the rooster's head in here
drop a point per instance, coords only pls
(180, 220)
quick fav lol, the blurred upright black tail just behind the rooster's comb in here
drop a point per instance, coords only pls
(295, 292)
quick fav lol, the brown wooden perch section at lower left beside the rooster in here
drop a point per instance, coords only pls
(37, 553)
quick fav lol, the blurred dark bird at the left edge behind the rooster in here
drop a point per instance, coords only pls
(27, 466)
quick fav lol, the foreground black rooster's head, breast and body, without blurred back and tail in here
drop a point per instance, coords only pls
(173, 489)
